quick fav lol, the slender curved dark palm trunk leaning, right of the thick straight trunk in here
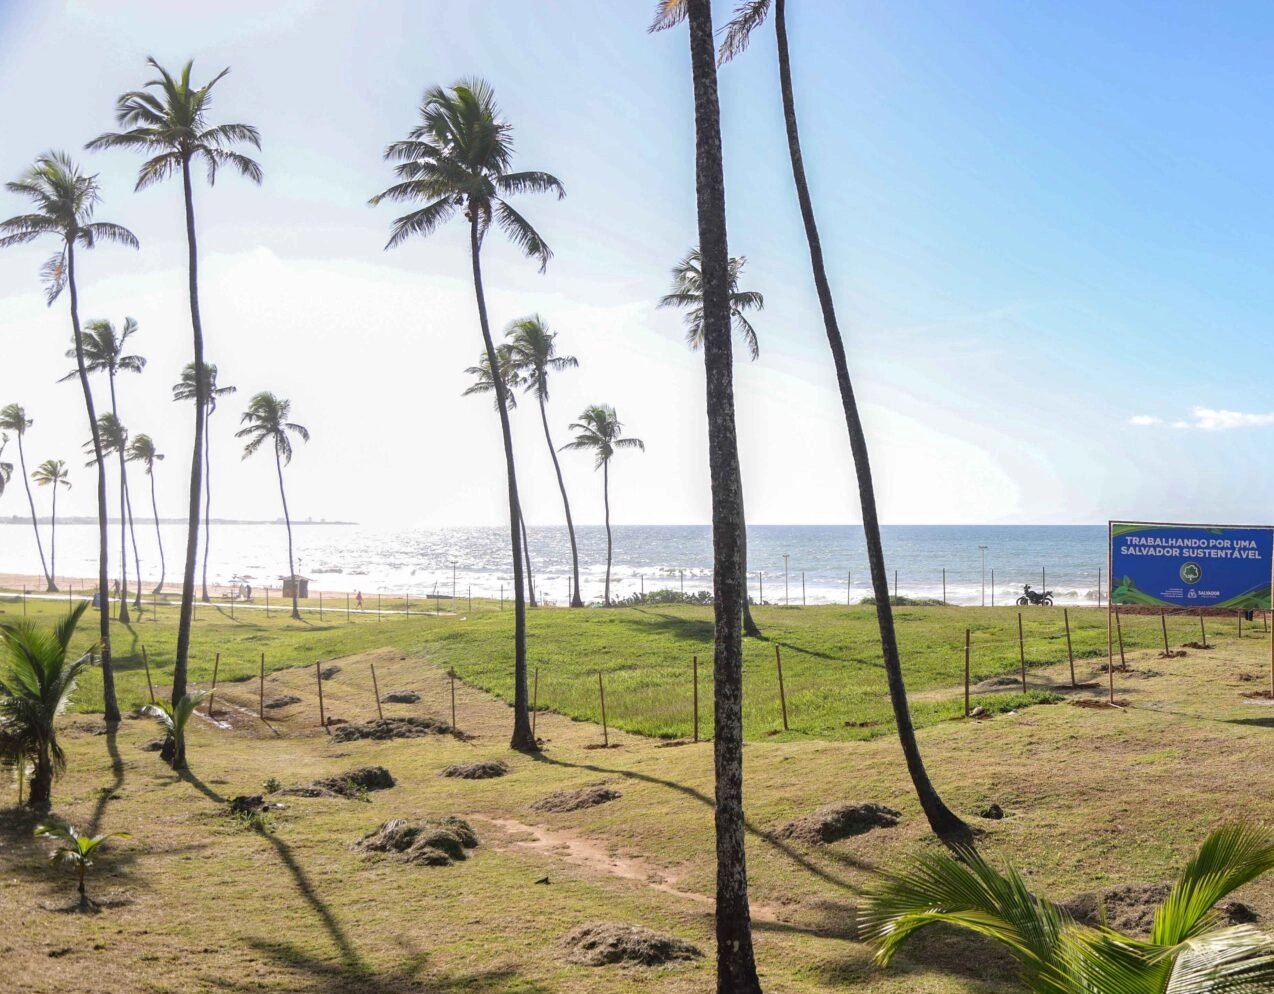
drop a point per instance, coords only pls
(945, 823)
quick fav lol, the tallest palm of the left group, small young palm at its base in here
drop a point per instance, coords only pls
(168, 122)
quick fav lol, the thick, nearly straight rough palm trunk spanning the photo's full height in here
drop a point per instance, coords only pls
(737, 967)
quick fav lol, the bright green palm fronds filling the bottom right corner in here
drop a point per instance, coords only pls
(1191, 950)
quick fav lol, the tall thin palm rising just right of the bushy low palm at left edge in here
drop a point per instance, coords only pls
(64, 203)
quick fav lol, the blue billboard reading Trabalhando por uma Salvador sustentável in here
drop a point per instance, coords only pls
(1191, 566)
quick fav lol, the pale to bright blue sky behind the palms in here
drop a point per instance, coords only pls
(1043, 221)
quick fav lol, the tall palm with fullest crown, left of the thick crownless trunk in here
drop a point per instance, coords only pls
(458, 159)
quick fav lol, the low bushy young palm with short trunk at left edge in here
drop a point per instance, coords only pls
(36, 681)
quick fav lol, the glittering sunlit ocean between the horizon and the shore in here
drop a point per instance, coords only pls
(787, 564)
